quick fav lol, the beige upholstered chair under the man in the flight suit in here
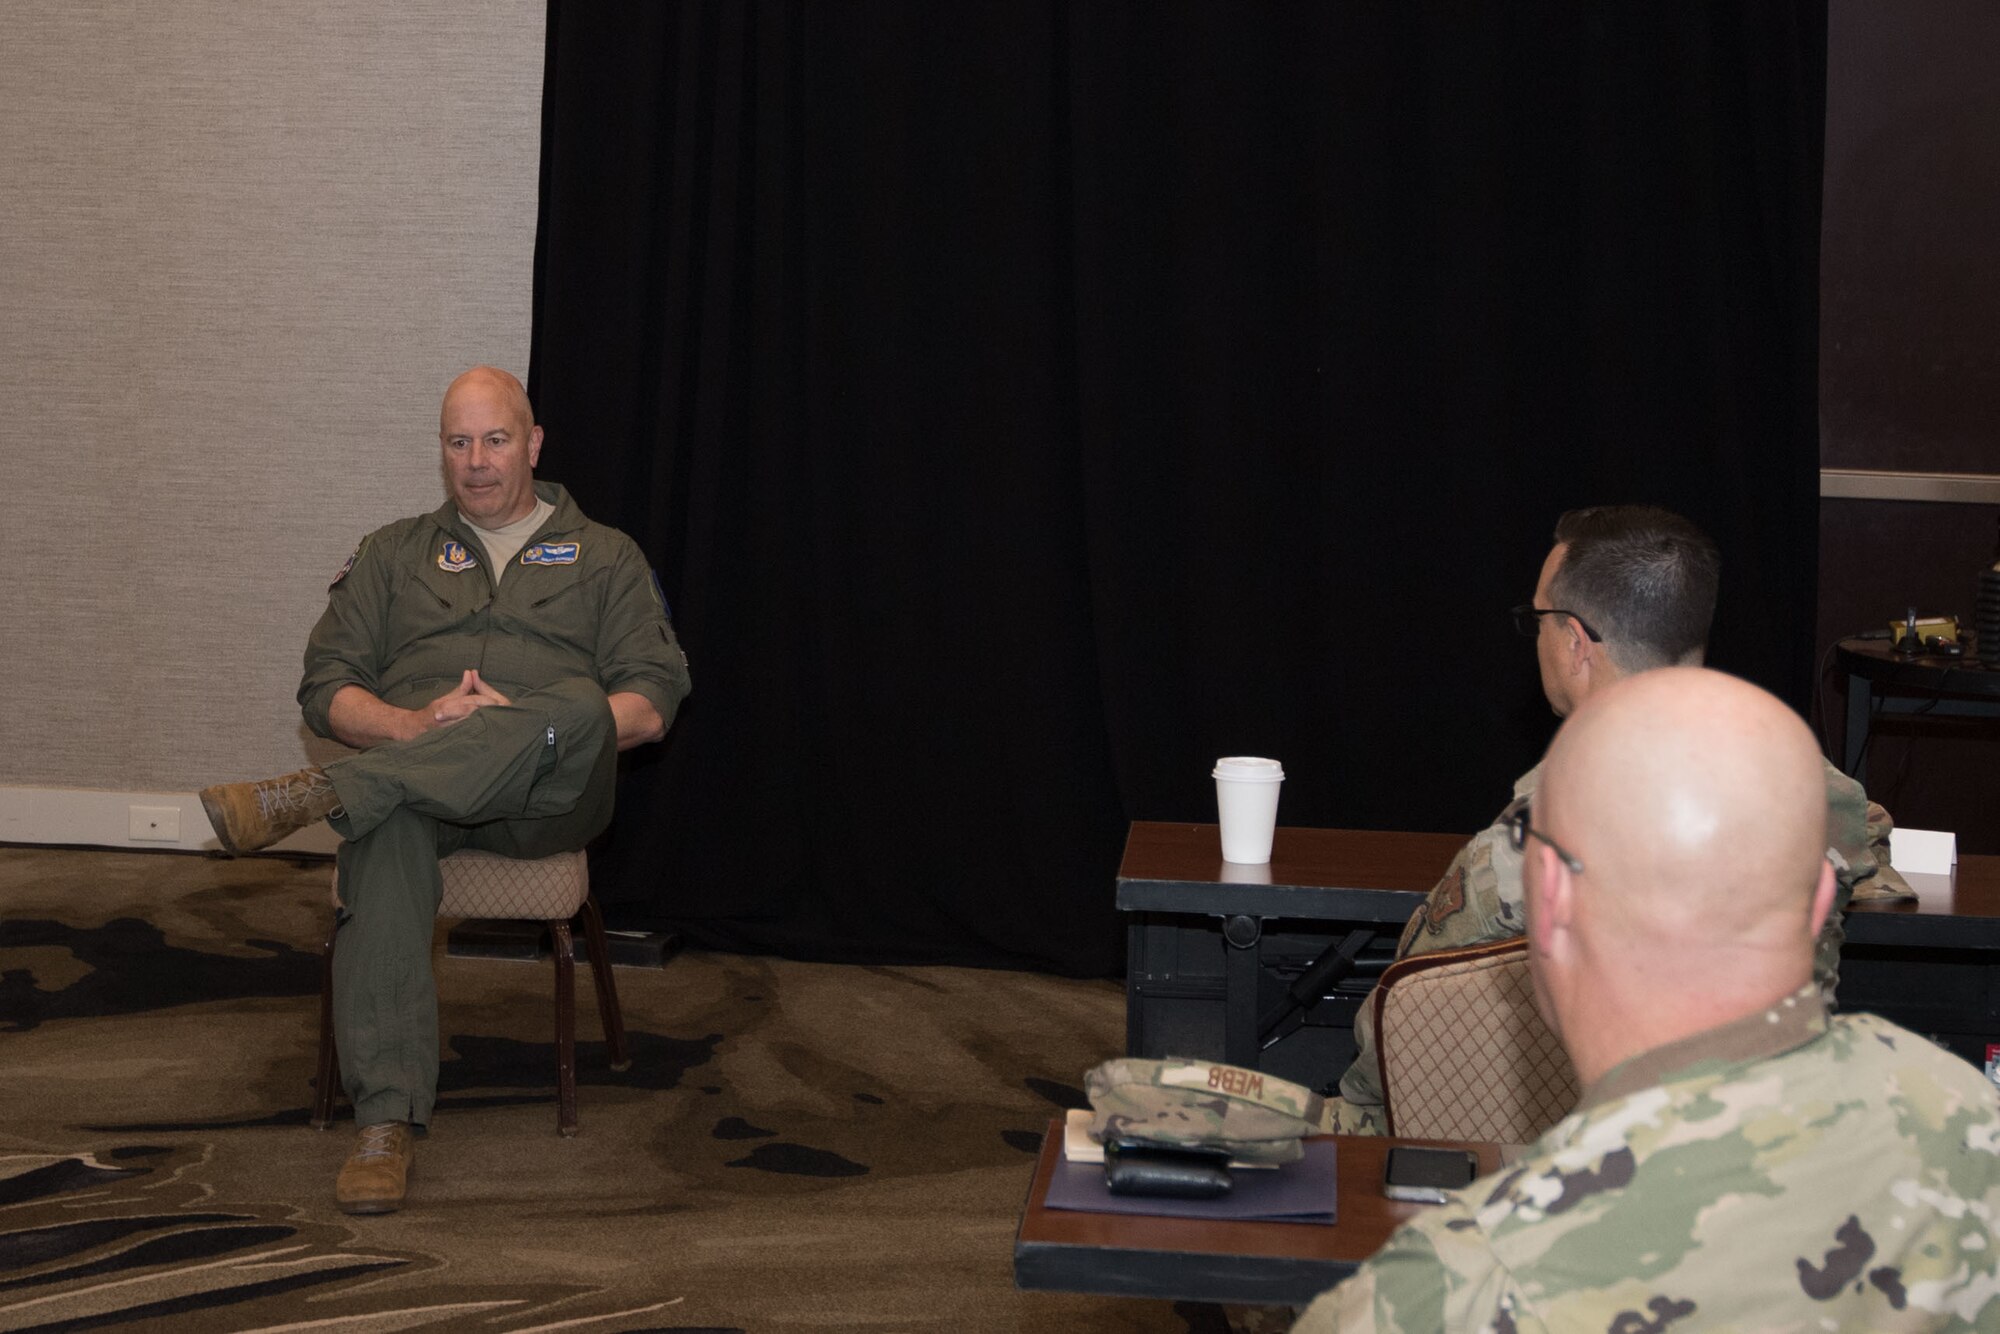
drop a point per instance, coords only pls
(485, 885)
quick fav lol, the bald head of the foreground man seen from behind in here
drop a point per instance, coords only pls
(1697, 807)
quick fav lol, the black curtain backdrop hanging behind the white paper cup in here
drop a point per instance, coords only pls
(1029, 405)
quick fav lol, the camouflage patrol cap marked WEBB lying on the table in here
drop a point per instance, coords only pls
(1203, 1103)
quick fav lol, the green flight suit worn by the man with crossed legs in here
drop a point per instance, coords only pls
(575, 621)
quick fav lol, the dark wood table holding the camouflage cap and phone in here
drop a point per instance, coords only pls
(1201, 1261)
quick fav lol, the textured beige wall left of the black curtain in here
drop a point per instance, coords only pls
(243, 247)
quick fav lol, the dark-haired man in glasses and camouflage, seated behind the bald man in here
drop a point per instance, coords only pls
(1627, 589)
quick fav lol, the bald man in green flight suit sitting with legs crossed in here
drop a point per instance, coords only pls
(489, 661)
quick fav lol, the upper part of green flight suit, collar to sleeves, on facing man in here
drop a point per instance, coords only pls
(417, 607)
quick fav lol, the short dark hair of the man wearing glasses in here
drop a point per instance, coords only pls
(1643, 577)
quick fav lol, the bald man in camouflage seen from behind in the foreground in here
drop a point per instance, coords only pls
(1741, 1161)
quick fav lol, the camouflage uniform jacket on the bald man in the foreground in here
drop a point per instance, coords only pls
(1779, 1173)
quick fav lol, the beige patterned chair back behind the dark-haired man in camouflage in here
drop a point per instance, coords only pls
(1463, 1051)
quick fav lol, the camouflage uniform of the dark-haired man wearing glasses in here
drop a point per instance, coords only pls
(1479, 901)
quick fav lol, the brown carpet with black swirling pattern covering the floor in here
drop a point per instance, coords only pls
(795, 1147)
